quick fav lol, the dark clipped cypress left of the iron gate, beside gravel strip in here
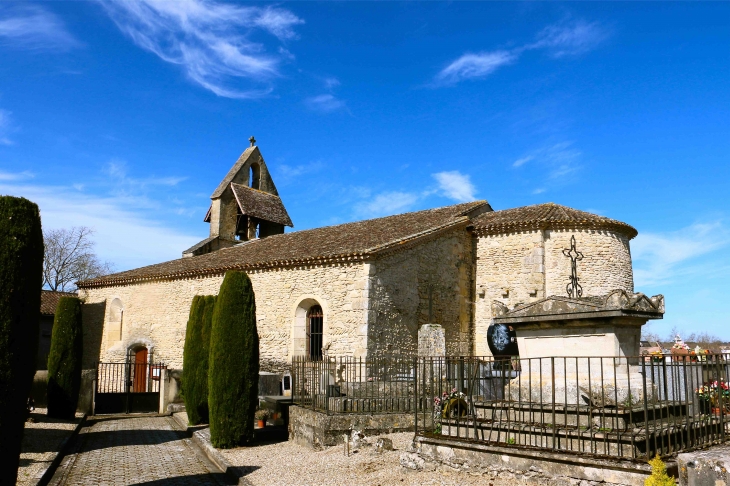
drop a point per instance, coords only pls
(64, 359)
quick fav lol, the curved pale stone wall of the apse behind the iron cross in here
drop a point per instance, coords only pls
(522, 267)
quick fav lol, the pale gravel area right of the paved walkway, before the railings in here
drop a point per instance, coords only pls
(285, 463)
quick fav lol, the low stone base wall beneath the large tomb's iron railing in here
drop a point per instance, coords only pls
(526, 463)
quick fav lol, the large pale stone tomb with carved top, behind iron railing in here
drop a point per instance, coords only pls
(578, 351)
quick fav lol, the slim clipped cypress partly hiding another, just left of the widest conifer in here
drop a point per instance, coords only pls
(192, 355)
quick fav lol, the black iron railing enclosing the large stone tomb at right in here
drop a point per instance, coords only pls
(618, 407)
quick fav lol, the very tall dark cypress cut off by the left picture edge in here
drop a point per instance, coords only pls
(21, 278)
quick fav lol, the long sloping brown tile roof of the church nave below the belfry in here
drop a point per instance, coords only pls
(330, 244)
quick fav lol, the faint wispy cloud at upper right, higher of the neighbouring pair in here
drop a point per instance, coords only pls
(569, 38)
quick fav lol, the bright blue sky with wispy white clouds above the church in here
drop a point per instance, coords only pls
(123, 116)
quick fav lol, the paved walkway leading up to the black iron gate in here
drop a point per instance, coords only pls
(137, 451)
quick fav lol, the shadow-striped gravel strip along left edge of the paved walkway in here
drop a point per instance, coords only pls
(41, 441)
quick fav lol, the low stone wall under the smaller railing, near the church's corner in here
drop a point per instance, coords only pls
(315, 429)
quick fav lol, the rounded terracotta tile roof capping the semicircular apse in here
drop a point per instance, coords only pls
(547, 215)
